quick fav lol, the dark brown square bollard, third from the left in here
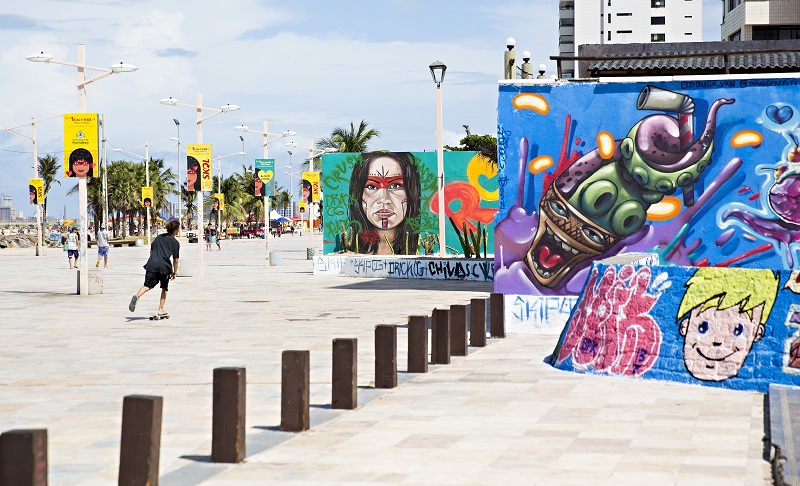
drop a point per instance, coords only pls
(228, 420)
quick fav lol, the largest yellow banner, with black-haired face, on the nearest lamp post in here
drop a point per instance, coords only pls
(80, 145)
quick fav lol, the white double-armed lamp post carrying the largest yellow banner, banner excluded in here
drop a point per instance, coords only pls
(83, 275)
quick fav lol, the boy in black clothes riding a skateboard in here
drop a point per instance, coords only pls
(159, 268)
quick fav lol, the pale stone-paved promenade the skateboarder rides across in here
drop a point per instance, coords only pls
(499, 416)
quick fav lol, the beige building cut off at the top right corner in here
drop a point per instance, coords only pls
(760, 20)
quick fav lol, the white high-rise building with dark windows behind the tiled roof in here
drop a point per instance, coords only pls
(624, 22)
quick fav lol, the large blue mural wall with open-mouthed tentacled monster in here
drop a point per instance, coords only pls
(701, 172)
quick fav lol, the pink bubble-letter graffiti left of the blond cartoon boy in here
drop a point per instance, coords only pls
(611, 329)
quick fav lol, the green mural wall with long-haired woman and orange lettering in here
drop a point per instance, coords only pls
(386, 203)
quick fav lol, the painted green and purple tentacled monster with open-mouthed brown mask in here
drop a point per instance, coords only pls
(603, 197)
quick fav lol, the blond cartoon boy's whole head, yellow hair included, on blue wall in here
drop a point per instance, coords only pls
(721, 315)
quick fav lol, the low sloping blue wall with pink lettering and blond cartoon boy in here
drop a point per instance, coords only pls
(731, 327)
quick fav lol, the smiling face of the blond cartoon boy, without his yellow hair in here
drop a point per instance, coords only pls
(718, 341)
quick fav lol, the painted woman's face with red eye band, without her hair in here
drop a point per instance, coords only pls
(384, 197)
